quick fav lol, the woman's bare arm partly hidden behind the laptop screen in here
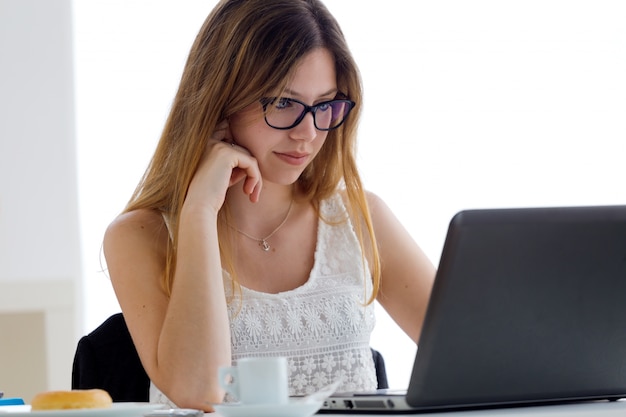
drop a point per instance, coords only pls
(407, 274)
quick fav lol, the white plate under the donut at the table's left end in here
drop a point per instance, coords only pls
(116, 410)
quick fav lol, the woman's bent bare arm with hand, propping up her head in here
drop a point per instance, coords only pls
(182, 339)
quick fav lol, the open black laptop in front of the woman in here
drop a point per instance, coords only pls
(528, 307)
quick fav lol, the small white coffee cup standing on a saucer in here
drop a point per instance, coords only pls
(257, 380)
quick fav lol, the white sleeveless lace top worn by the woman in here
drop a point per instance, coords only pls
(322, 327)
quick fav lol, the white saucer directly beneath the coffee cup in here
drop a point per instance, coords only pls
(295, 408)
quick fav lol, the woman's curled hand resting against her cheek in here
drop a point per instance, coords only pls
(223, 164)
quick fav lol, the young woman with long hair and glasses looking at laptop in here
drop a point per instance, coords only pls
(250, 233)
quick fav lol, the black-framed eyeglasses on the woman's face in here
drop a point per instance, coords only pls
(285, 113)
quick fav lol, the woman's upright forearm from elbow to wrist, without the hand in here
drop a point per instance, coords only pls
(195, 338)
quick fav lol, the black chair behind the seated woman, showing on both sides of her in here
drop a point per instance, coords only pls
(106, 358)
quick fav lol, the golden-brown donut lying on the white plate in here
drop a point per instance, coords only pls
(67, 400)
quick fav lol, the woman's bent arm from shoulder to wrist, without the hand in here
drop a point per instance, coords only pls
(181, 340)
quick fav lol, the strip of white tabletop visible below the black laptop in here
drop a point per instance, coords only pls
(586, 409)
